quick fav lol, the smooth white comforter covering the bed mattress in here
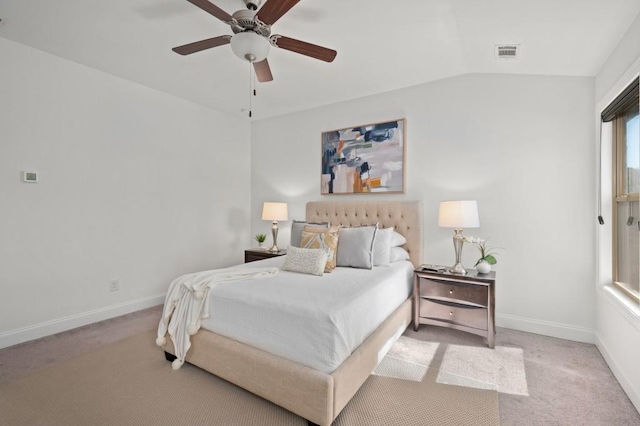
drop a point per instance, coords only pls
(314, 321)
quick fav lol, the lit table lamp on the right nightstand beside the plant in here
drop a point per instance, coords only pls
(458, 215)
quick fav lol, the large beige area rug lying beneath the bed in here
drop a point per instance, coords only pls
(130, 383)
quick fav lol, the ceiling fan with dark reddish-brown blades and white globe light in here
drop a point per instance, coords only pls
(252, 35)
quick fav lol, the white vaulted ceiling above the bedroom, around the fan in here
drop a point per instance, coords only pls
(382, 44)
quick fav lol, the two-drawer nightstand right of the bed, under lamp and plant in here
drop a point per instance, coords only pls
(464, 302)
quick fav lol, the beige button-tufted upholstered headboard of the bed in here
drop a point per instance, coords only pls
(405, 216)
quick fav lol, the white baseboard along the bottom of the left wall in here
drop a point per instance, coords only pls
(36, 331)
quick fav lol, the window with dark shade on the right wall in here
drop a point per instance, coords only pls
(623, 113)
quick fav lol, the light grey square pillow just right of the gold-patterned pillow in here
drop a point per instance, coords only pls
(355, 246)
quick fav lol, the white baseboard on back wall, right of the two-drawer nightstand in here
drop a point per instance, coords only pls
(546, 328)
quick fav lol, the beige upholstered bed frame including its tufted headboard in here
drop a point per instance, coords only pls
(313, 395)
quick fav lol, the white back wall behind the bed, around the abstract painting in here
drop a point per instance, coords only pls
(520, 145)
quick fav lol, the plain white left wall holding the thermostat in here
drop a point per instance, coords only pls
(134, 184)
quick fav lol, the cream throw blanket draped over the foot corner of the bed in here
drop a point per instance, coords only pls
(187, 303)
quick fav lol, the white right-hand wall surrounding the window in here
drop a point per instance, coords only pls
(618, 323)
